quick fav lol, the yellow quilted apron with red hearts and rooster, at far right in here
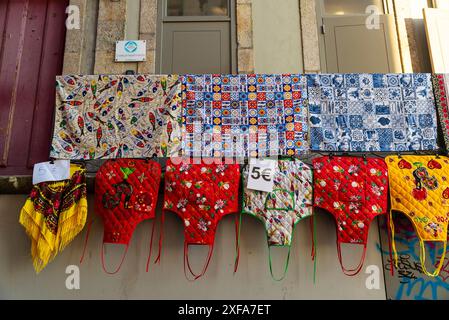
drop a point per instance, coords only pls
(419, 188)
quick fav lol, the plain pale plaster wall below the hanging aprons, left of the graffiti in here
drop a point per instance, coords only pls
(252, 281)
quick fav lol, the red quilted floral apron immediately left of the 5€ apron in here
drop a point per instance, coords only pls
(201, 194)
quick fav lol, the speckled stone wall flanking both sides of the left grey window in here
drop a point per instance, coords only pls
(92, 48)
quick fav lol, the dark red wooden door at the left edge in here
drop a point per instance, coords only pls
(32, 36)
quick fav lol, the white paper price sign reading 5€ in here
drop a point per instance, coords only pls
(261, 172)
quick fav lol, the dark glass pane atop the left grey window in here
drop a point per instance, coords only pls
(178, 8)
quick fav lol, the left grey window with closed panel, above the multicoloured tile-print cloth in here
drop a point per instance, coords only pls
(196, 36)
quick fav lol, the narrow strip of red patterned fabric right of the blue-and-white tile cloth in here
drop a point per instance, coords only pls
(441, 88)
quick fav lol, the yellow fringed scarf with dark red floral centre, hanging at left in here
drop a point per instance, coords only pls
(53, 214)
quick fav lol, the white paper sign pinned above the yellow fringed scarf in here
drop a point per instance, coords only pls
(46, 171)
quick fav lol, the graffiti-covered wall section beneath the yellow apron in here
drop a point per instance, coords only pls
(409, 281)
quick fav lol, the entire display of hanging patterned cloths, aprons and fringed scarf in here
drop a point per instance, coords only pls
(129, 119)
